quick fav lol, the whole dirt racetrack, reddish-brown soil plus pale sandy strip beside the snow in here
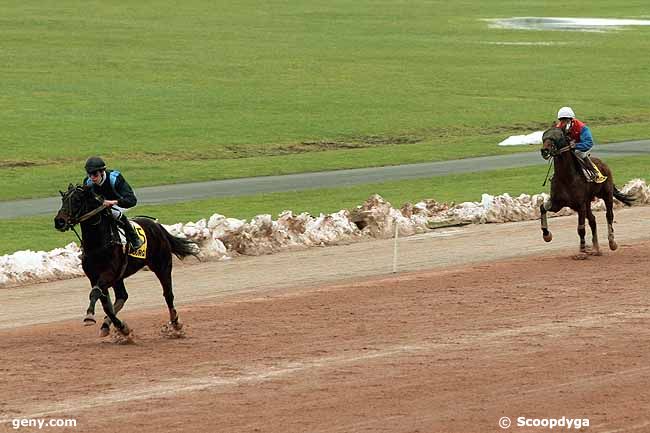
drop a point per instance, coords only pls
(481, 322)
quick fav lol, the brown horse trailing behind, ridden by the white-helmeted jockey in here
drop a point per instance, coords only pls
(569, 188)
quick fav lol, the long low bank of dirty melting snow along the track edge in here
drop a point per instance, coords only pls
(221, 238)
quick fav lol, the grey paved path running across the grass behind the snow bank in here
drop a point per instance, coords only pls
(166, 194)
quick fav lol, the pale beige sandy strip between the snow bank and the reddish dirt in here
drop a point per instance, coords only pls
(34, 304)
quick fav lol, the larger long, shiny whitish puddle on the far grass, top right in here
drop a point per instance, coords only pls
(572, 24)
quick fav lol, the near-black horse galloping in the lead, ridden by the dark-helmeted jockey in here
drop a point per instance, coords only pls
(107, 263)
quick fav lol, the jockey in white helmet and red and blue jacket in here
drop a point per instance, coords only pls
(580, 136)
